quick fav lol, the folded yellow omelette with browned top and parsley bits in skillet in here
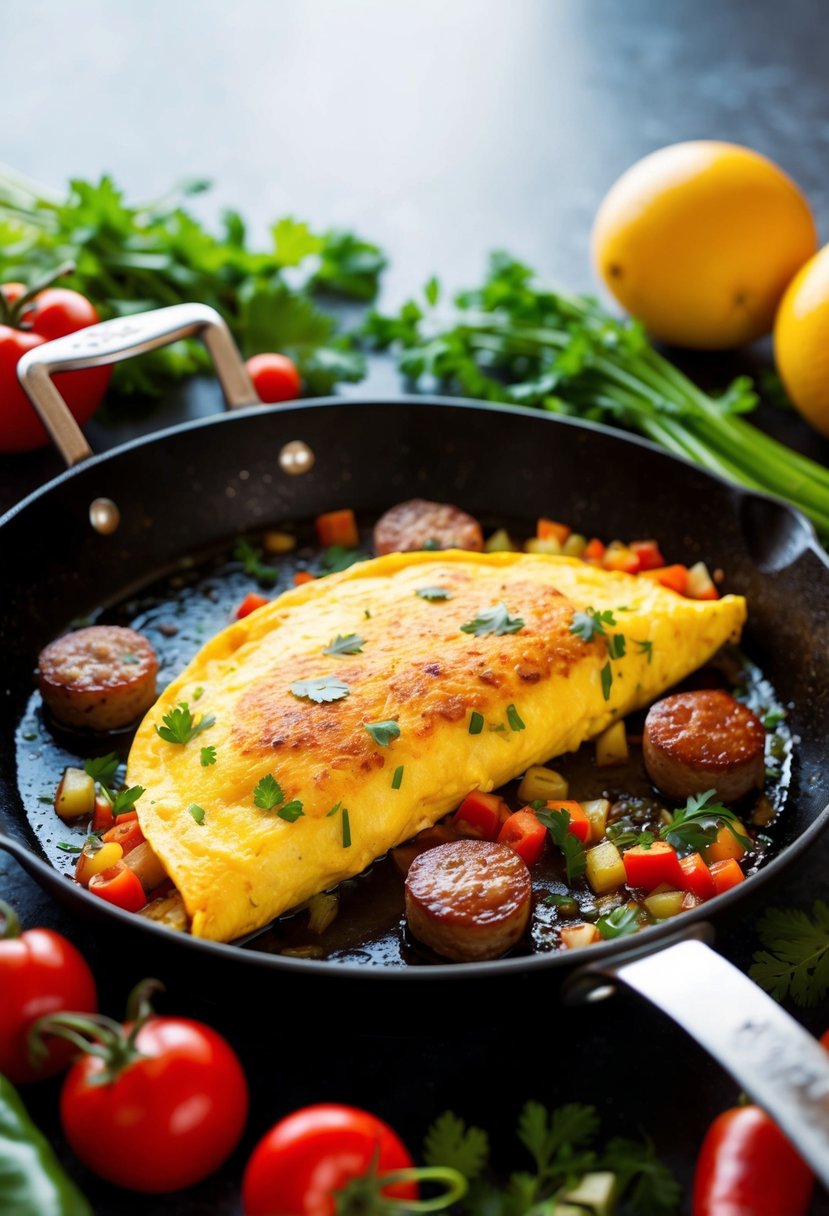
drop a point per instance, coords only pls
(356, 711)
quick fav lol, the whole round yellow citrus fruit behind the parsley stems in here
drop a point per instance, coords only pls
(701, 240)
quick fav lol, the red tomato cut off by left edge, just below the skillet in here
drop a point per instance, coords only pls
(41, 973)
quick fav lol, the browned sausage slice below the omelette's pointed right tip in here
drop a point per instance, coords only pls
(706, 740)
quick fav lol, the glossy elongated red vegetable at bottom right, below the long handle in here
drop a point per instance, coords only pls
(748, 1168)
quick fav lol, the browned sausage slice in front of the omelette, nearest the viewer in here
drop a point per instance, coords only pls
(469, 900)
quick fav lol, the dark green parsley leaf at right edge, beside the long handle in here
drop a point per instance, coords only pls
(796, 962)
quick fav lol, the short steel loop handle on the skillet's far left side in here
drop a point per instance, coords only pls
(123, 339)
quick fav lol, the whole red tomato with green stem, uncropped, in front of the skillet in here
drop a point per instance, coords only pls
(170, 1119)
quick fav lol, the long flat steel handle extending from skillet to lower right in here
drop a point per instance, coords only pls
(772, 1057)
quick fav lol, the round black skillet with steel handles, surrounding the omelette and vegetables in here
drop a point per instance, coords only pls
(189, 488)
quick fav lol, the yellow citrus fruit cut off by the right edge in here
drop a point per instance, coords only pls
(802, 341)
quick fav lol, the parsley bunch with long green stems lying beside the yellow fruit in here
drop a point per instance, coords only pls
(517, 341)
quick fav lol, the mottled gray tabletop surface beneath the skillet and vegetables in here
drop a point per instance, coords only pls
(441, 131)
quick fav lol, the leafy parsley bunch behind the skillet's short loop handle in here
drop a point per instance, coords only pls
(136, 257)
